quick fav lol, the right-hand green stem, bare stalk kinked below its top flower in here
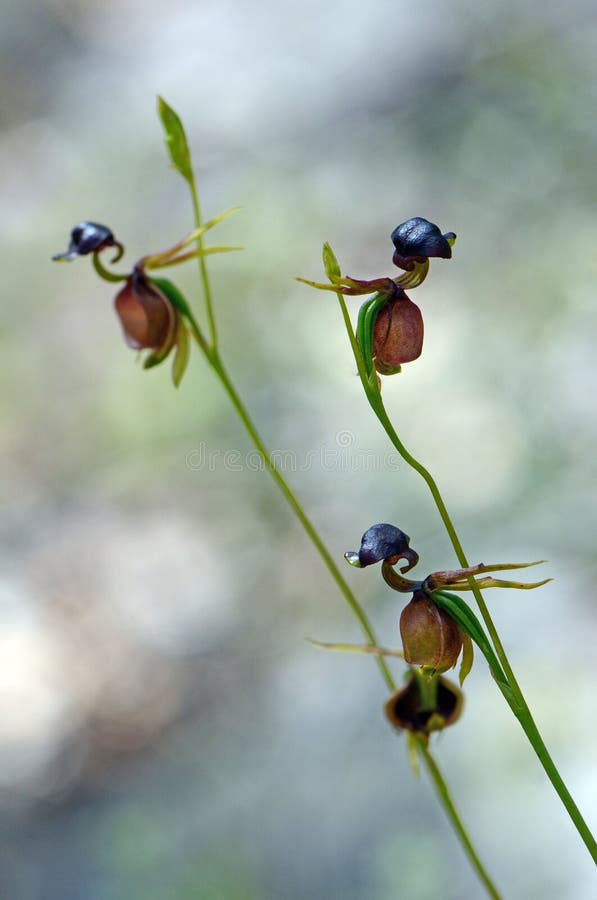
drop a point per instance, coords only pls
(516, 699)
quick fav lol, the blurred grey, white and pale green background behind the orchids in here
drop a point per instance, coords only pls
(165, 730)
